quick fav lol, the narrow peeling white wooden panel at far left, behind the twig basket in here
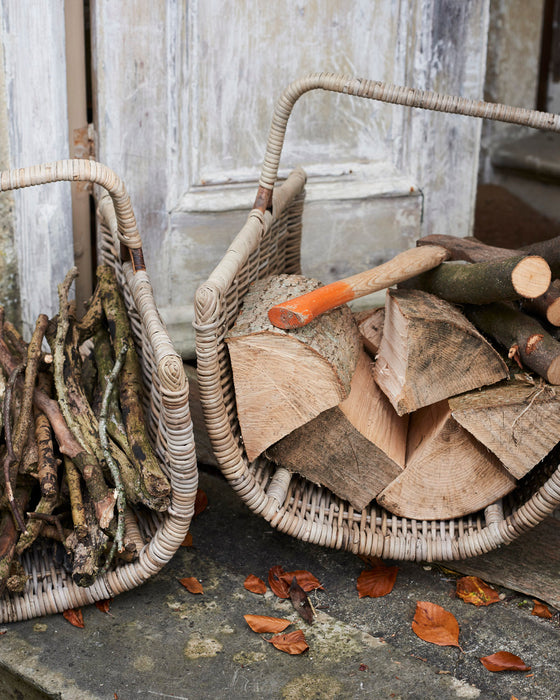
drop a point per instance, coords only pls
(35, 82)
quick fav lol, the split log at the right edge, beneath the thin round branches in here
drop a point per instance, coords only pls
(518, 420)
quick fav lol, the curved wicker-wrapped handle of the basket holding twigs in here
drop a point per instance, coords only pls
(82, 169)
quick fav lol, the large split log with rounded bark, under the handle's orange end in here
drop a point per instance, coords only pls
(284, 379)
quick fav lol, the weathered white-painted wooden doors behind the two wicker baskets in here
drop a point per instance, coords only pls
(183, 94)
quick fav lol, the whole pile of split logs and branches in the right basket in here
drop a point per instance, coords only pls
(434, 405)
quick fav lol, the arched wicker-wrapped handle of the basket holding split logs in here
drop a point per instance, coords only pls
(383, 92)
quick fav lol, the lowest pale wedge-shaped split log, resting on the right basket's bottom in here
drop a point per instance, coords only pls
(448, 473)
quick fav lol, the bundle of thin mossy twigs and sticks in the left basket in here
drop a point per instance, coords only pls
(76, 458)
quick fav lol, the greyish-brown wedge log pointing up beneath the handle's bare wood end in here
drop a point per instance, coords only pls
(430, 351)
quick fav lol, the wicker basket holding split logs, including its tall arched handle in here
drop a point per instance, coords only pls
(269, 243)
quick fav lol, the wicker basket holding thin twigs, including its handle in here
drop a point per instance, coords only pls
(50, 588)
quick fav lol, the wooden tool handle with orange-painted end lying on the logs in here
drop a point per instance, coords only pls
(299, 311)
